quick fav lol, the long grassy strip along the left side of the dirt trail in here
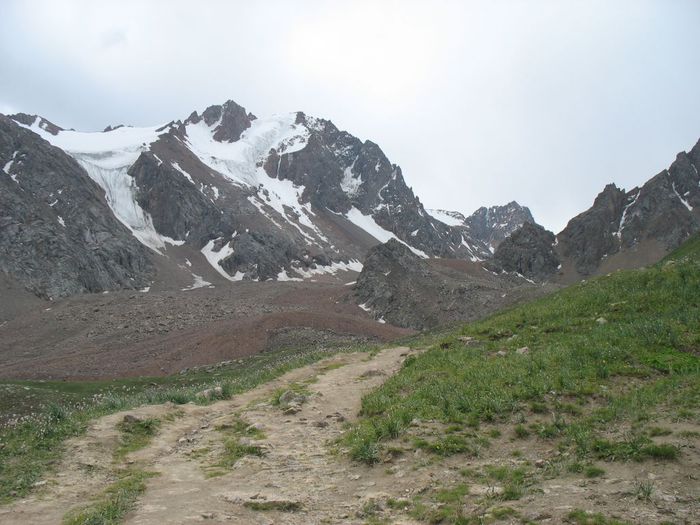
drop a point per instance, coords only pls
(33, 443)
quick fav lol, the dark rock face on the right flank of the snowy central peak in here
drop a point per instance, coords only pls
(339, 172)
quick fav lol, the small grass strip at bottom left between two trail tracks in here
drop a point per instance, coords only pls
(116, 501)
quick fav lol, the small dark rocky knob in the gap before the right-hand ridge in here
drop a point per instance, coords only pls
(528, 251)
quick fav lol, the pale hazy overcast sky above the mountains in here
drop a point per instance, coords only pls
(480, 102)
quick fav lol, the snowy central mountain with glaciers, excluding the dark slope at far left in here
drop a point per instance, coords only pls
(224, 195)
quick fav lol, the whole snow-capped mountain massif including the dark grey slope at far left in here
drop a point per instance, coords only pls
(219, 195)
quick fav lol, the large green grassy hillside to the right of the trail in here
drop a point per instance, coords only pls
(581, 376)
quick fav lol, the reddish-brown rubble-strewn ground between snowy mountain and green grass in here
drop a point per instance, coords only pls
(126, 334)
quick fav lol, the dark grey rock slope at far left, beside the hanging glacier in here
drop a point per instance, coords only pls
(58, 236)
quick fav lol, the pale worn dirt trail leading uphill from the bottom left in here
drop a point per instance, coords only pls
(299, 467)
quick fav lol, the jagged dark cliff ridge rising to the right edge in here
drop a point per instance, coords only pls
(664, 212)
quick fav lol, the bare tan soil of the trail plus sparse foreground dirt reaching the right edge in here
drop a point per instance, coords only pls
(289, 469)
